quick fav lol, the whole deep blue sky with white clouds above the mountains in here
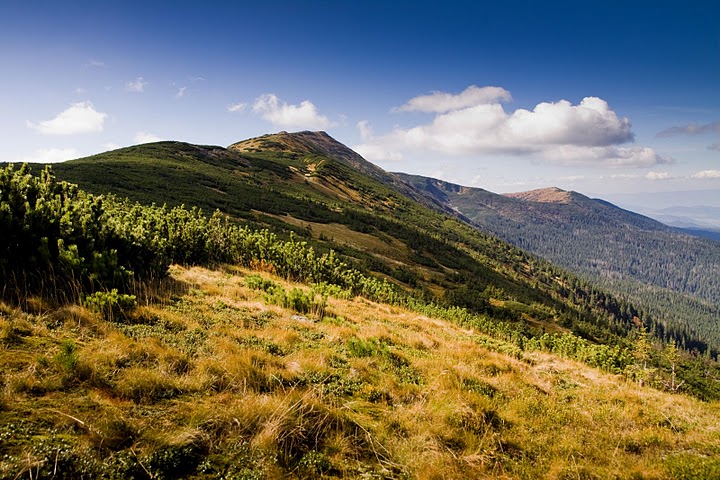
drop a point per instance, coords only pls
(608, 98)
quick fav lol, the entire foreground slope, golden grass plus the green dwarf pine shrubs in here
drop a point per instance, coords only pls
(140, 341)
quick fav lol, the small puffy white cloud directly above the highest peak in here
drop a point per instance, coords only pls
(282, 114)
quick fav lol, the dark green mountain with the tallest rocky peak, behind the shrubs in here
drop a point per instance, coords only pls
(319, 189)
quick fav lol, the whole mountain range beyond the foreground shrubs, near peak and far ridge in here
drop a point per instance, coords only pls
(438, 239)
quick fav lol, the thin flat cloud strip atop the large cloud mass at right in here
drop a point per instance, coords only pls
(441, 102)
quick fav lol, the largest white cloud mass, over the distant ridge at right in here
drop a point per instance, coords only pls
(475, 122)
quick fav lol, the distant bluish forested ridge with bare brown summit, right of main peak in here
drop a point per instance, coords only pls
(667, 273)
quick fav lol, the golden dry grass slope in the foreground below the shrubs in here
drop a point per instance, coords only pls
(209, 380)
